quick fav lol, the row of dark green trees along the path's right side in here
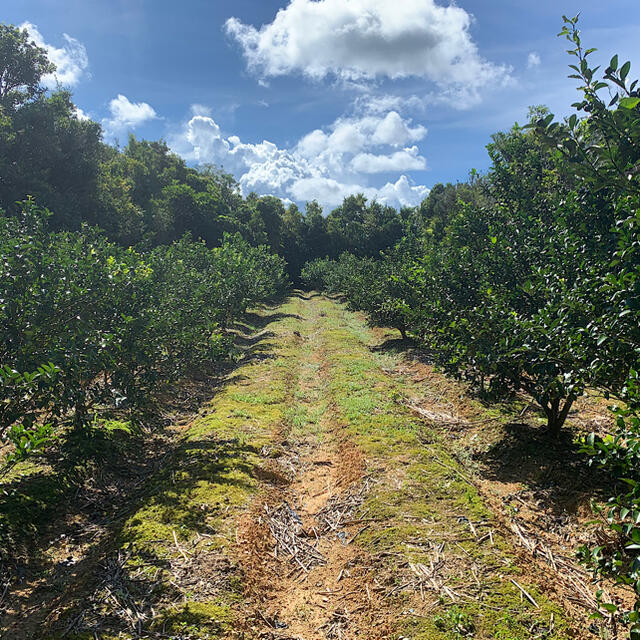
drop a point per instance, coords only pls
(528, 280)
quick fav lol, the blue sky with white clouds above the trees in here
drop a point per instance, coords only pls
(318, 99)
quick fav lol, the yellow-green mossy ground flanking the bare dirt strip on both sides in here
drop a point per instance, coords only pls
(182, 521)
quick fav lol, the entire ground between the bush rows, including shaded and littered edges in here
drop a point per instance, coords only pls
(331, 488)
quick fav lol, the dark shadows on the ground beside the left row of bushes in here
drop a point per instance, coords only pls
(102, 484)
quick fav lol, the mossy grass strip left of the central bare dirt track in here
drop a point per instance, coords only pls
(210, 479)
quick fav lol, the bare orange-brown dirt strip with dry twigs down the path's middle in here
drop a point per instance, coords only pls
(305, 577)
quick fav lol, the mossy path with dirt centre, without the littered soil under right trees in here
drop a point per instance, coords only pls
(306, 501)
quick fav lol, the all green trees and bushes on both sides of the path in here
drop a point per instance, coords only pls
(124, 268)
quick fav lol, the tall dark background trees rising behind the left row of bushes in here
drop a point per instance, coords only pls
(143, 194)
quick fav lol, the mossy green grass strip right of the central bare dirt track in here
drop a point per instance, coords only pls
(424, 502)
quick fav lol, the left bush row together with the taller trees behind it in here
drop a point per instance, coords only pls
(122, 268)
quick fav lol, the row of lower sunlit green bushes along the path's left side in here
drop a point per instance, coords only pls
(87, 325)
